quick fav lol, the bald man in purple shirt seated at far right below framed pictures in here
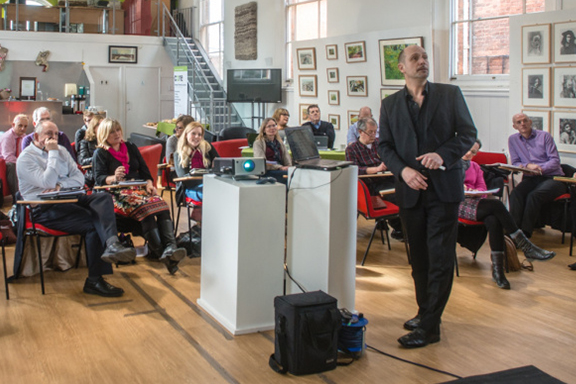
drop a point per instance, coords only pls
(534, 150)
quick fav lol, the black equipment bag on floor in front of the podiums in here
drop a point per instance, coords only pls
(306, 331)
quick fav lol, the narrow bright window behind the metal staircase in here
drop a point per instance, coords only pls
(212, 32)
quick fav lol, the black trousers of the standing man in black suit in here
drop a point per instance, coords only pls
(431, 227)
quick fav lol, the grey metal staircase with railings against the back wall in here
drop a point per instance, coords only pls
(206, 95)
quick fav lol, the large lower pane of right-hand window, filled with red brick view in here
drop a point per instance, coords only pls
(490, 47)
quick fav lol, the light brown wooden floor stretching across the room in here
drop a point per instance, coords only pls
(156, 333)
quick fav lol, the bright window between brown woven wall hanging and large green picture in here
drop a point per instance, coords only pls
(305, 20)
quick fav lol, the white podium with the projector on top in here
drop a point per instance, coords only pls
(242, 252)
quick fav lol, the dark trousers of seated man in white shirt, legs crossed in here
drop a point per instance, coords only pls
(92, 216)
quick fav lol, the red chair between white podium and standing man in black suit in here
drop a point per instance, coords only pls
(374, 208)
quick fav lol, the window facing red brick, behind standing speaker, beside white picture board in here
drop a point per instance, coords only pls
(480, 34)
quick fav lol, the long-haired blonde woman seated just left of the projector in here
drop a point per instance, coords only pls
(193, 153)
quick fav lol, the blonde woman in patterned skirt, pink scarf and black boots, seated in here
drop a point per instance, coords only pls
(116, 160)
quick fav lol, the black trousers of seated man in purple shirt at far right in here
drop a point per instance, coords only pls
(527, 199)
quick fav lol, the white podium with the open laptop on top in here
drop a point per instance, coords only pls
(321, 245)
